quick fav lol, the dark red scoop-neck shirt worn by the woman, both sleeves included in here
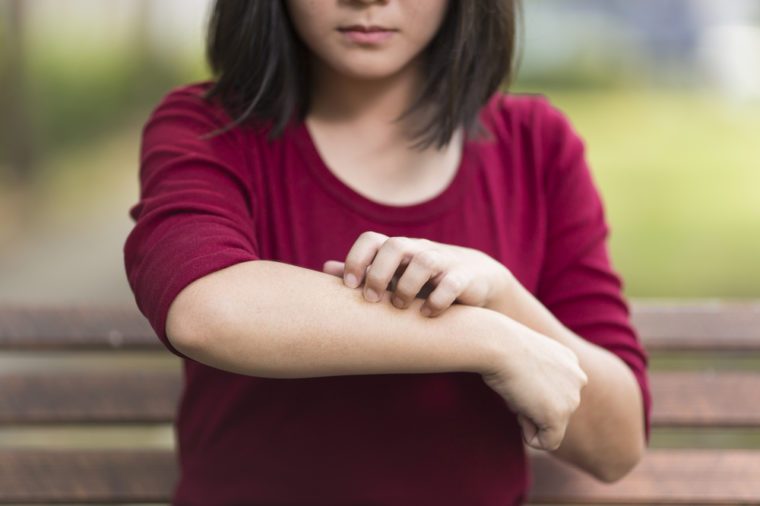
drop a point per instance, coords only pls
(527, 198)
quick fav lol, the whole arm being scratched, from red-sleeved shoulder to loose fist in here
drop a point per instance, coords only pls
(192, 261)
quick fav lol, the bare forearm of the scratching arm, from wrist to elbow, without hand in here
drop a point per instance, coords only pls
(605, 435)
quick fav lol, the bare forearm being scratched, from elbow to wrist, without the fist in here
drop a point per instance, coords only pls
(272, 319)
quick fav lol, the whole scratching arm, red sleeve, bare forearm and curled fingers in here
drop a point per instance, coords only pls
(578, 299)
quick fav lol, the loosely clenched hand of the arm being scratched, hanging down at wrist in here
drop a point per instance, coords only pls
(541, 380)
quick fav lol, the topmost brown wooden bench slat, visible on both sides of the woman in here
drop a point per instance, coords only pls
(662, 325)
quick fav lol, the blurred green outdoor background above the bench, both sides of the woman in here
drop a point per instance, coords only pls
(666, 95)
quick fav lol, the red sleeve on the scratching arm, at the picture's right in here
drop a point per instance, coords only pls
(578, 283)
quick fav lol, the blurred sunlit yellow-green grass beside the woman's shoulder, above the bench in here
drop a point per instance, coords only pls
(680, 177)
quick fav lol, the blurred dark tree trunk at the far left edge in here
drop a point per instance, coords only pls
(15, 122)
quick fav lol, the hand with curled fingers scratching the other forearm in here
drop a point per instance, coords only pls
(441, 273)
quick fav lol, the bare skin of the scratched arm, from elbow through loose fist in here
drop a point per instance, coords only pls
(276, 320)
